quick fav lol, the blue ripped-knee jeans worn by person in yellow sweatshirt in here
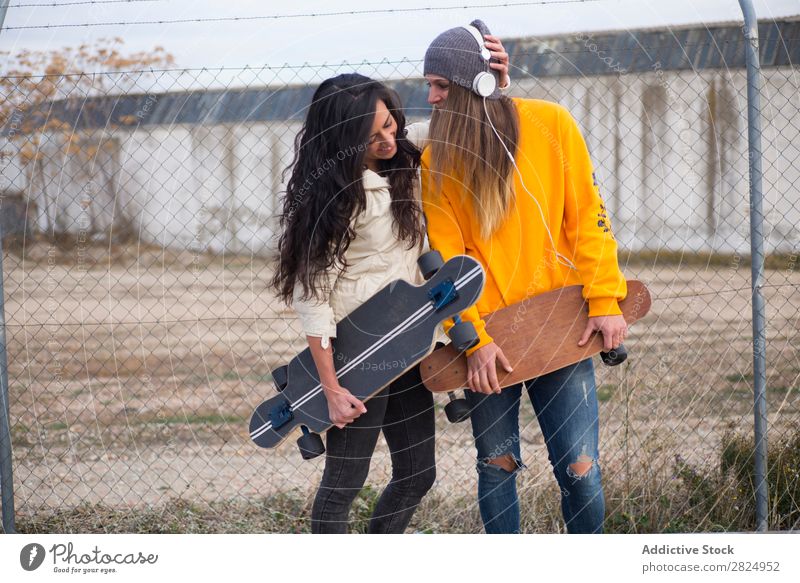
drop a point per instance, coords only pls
(565, 402)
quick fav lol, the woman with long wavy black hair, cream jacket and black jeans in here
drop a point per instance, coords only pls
(351, 225)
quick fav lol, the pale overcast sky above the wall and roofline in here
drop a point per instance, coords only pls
(347, 37)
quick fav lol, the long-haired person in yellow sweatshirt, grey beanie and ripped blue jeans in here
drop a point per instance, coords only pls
(510, 182)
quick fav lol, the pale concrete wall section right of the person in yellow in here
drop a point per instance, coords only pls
(671, 154)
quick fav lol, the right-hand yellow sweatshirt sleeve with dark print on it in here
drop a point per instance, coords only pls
(587, 226)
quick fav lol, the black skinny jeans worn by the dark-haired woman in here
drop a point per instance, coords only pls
(404, 412)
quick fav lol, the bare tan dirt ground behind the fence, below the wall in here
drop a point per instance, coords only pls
(133, 375)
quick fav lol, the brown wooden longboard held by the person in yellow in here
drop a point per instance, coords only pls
(538, 335)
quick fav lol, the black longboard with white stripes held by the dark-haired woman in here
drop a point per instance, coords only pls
(375, 344)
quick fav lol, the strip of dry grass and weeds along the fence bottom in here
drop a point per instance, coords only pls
(684, 499)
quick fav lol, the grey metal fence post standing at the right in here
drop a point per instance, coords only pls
(757, 259)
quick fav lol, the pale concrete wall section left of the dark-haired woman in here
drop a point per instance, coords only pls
(186, 187)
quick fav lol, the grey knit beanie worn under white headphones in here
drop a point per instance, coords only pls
(455, 55)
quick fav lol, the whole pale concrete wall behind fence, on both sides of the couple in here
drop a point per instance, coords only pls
(670, 150)
